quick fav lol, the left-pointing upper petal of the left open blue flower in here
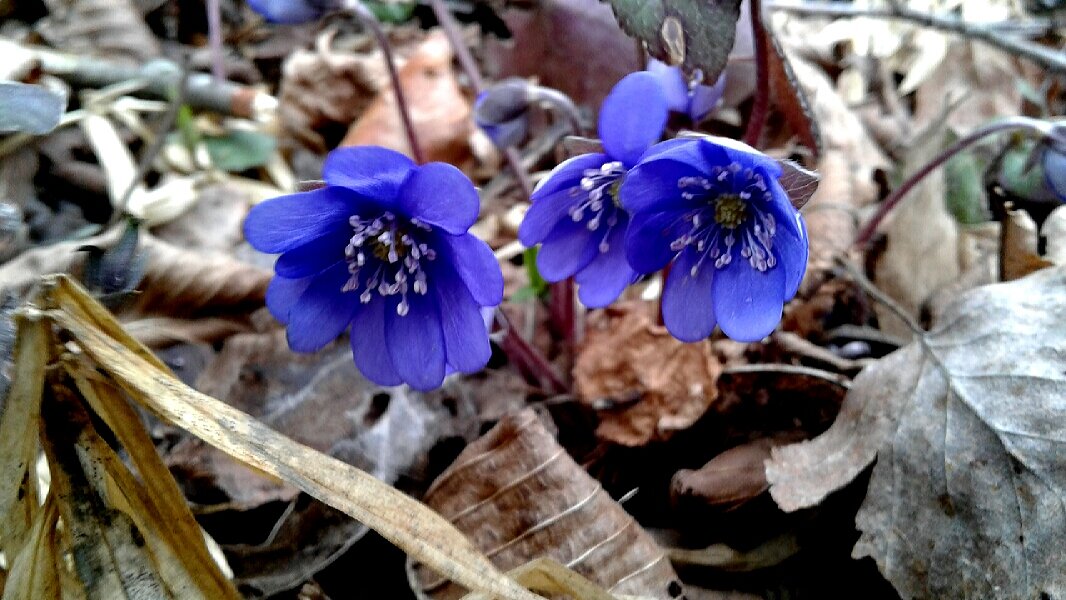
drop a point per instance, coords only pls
(282, 224)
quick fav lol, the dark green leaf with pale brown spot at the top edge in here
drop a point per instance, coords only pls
(692, 34)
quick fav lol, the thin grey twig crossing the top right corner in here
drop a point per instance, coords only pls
(994, 35)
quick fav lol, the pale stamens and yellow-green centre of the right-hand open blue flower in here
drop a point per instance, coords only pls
(730, 210)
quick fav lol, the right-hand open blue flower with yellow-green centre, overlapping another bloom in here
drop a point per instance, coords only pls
(715, 207)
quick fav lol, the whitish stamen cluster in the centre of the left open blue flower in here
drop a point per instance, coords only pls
(386, 257)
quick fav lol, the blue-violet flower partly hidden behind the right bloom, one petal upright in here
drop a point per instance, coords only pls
(577, 216)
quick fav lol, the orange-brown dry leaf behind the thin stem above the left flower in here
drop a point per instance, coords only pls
(440, 112)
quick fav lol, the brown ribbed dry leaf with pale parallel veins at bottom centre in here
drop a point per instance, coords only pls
(519, 496)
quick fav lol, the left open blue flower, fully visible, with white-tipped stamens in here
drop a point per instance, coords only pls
(383, 248)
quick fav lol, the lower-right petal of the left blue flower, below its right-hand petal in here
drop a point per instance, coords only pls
(466, 336)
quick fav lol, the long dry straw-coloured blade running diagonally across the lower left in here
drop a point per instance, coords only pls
(405, 522)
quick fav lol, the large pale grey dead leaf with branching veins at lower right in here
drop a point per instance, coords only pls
(967, 426)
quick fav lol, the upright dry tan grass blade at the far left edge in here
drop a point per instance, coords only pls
(19, 447)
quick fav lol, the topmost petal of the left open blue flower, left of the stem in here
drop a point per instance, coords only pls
(374, 172)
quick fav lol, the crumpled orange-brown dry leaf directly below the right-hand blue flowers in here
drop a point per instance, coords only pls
(661, 384)
